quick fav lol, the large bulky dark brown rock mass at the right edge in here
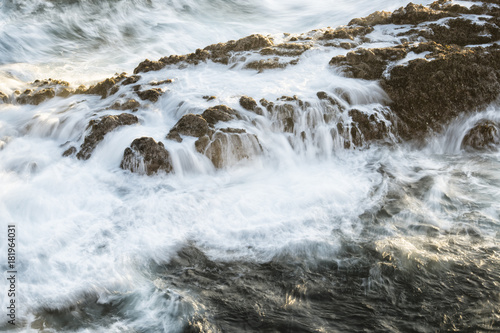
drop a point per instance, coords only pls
(427, 94)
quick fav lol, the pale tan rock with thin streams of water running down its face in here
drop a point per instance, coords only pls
(229, 146)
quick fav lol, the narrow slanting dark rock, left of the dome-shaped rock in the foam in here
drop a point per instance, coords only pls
(99, 128)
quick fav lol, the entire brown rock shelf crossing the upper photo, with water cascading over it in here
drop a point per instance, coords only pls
(437, 71)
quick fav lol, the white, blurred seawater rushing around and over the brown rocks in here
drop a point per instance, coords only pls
(307, 237)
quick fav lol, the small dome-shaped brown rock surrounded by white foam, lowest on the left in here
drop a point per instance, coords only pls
(145, 155)
